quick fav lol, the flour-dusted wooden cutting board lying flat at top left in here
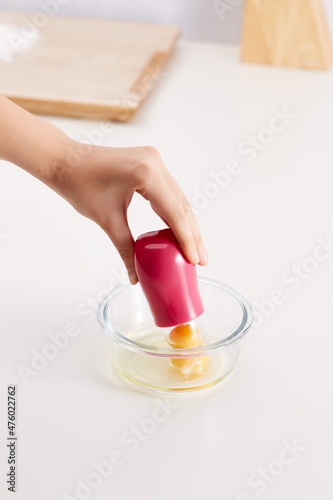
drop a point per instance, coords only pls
(81, 67)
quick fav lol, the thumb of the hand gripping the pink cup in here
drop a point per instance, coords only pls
(121, 236)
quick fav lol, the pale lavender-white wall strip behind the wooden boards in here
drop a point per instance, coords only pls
(198, 18)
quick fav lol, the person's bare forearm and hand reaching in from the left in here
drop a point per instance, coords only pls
(99, 182)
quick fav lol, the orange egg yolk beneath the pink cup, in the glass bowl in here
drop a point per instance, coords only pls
(186, 336)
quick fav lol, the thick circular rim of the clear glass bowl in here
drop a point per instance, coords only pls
(239, 334)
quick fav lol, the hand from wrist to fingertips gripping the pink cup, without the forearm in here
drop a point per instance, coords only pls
(100, 185)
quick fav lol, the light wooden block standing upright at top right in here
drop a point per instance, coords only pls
(286, 33)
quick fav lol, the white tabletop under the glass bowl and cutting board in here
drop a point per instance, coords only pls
(54, 264)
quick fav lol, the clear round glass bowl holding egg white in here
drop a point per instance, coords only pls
(142, 355)
